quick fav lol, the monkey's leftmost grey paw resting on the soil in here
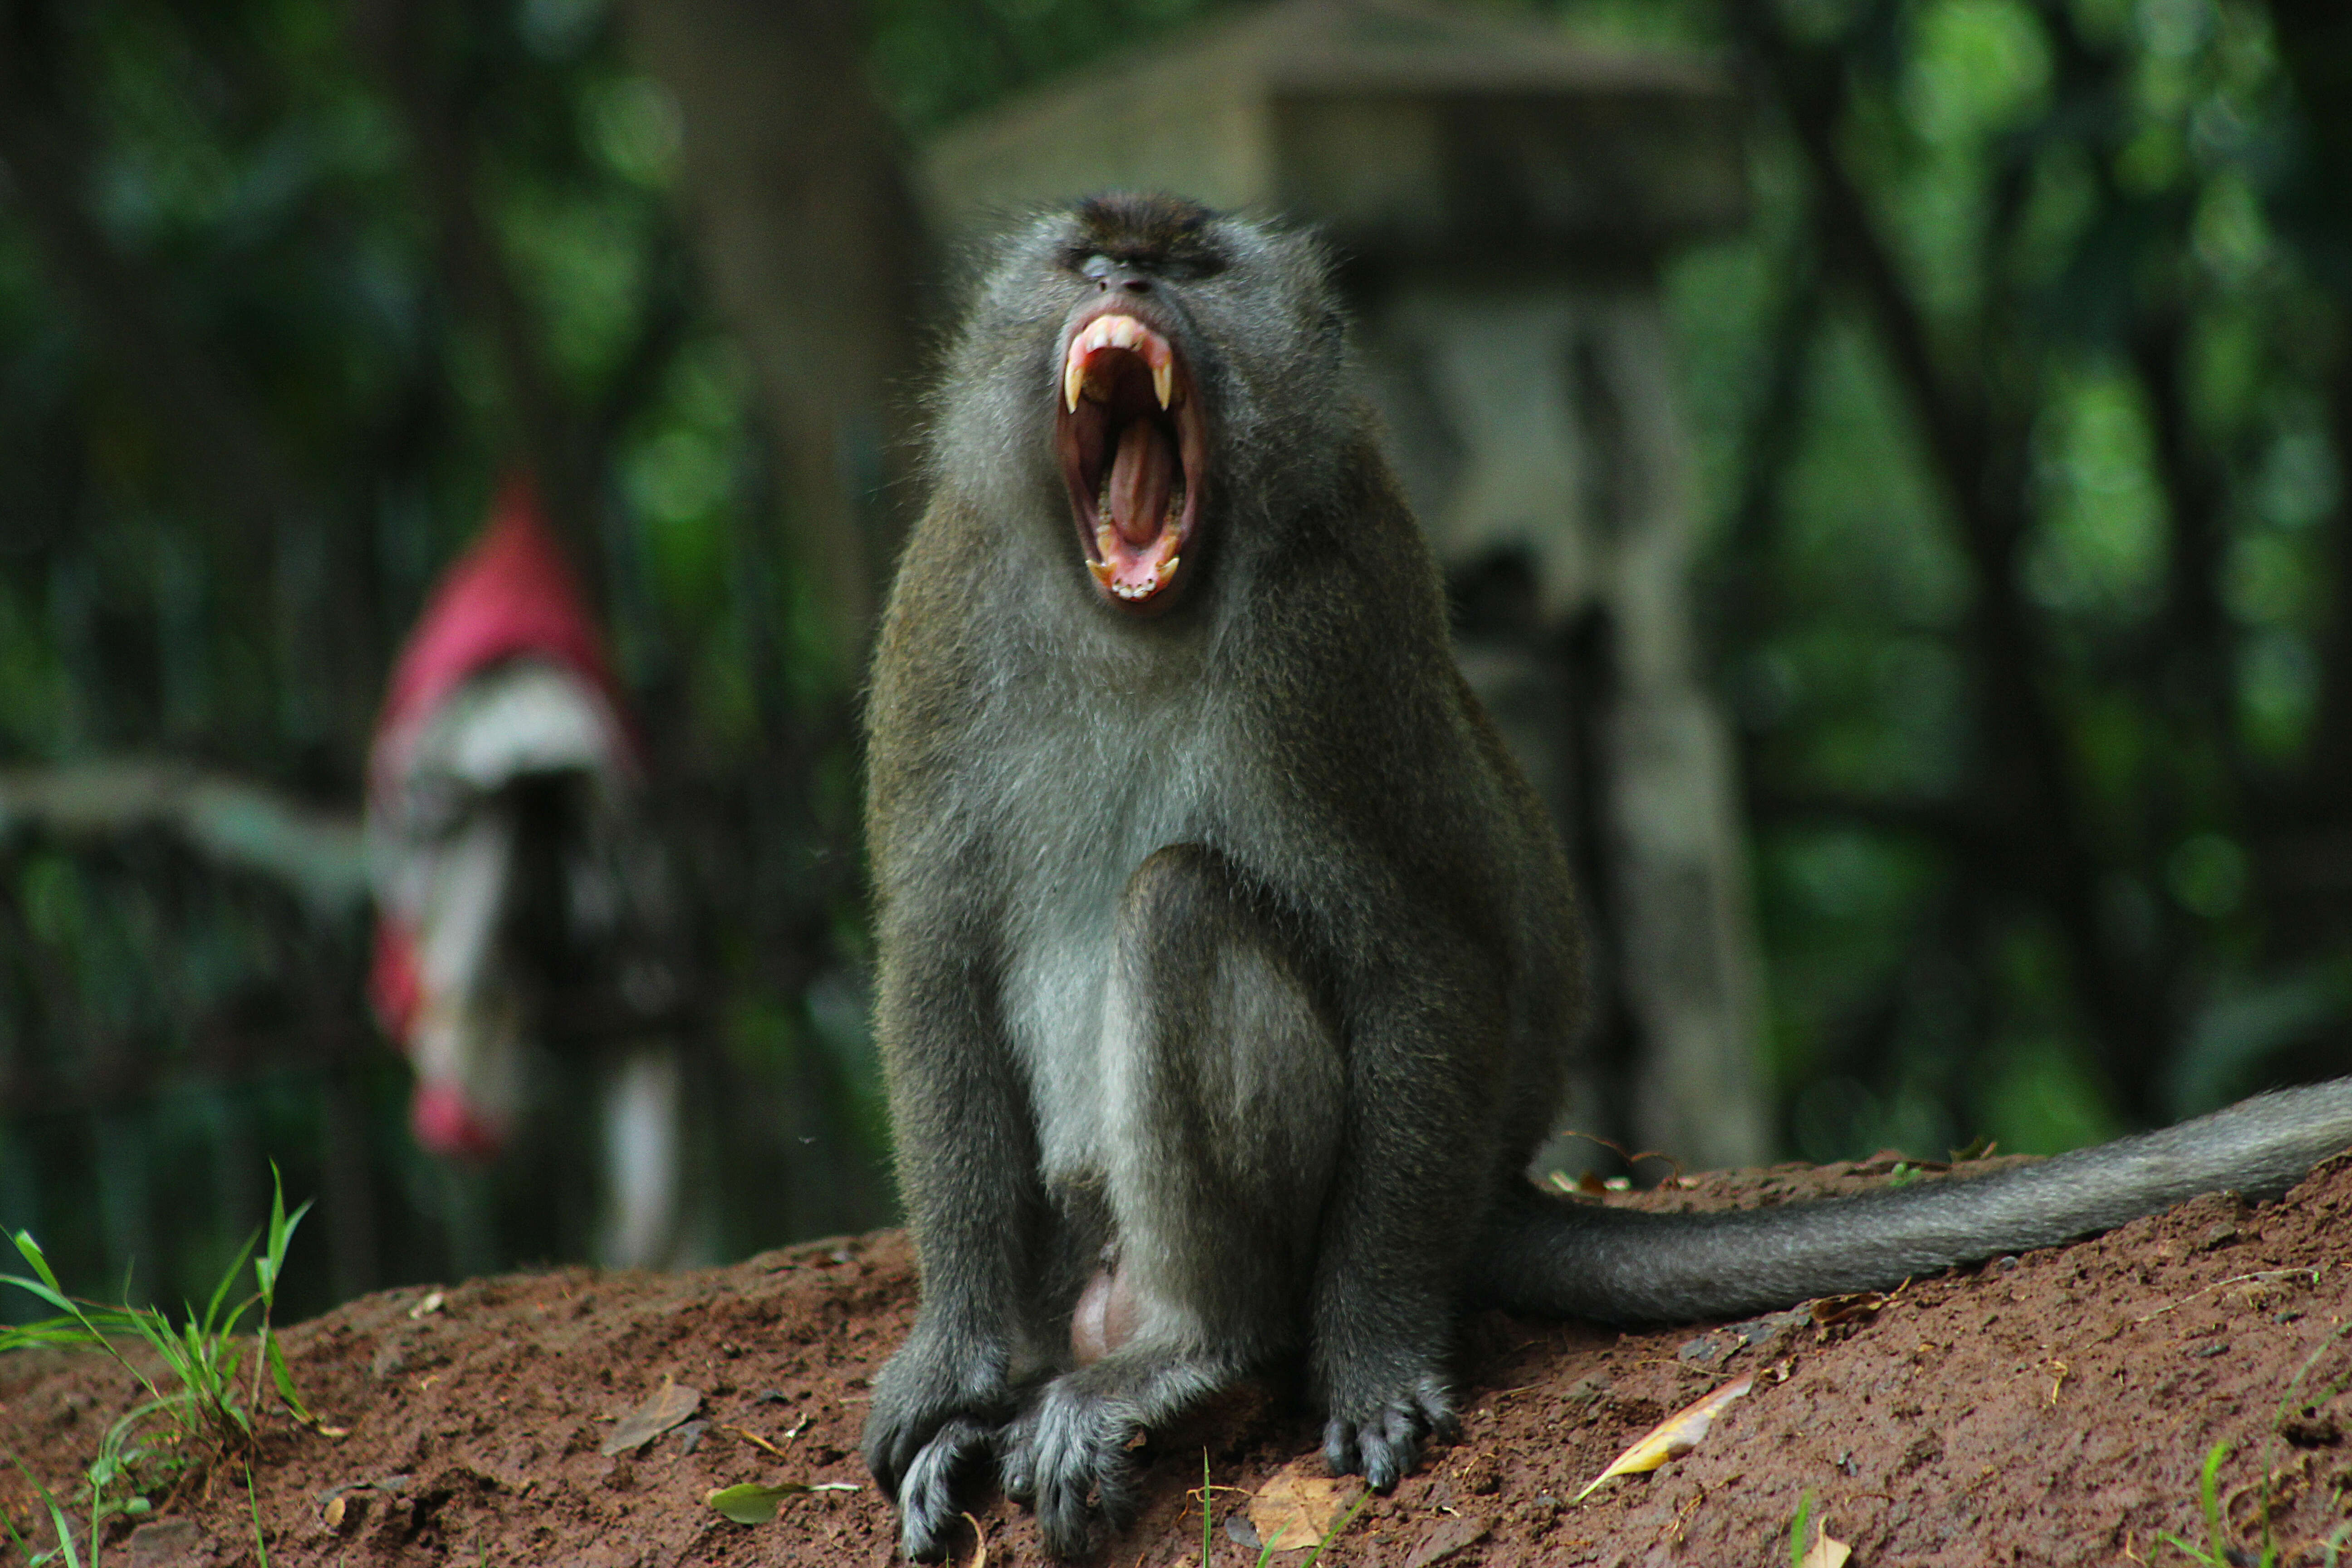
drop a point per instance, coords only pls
(933, 1421)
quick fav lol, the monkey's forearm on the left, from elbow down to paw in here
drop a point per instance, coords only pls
(968, 1170)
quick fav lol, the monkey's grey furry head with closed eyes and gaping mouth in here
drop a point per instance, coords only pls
(1170, 370)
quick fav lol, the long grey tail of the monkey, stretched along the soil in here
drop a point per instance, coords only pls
(1556, 1259)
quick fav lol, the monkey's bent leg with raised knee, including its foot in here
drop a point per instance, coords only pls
(1227, 1090)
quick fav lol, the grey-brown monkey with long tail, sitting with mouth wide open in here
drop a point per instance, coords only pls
(1229, 965)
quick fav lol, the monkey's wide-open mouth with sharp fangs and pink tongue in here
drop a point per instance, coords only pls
(1132, 443)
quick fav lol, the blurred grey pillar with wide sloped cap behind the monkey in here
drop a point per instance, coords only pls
(1502, 201)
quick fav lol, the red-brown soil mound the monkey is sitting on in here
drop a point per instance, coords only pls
(2045, 1409)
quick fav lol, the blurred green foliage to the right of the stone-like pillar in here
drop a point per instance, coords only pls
(2111, 229)
